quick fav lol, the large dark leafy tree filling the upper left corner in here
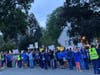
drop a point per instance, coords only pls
(13, 17)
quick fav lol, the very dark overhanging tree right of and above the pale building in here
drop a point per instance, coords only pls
(84, 18)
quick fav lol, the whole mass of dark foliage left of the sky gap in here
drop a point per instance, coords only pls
(14, 19)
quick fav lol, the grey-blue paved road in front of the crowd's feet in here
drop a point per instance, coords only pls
(38, 71)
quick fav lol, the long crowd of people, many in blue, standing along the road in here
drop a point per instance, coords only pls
(72, 58)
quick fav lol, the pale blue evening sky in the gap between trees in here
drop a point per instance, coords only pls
(42, 8)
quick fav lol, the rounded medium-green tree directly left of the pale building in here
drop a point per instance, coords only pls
(54, 24)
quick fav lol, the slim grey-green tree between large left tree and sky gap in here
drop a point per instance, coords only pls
(35, 29)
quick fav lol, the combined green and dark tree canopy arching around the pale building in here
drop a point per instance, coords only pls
(83, 15)
